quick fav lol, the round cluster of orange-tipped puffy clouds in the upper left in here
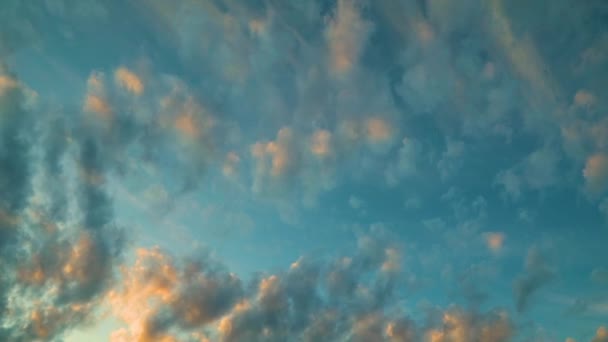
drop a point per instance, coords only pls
(135, 125)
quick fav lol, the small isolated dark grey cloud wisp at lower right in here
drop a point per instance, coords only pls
(537, 273)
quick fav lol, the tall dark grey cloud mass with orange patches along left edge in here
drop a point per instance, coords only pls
(57, 252)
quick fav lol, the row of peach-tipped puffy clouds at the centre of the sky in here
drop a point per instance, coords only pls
(307, 165)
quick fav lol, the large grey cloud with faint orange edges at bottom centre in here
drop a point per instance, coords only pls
(336, 300)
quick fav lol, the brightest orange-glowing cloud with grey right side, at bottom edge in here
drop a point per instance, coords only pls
(159, 297)
